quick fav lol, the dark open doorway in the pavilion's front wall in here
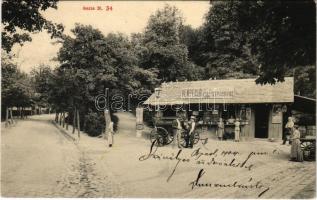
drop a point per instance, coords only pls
(261, 121)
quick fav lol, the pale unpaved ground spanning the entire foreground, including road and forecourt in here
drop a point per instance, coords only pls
(41, 159)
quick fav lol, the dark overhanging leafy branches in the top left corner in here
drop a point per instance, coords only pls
(20, 17)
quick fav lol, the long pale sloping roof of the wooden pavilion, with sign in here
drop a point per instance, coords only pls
(223, 91)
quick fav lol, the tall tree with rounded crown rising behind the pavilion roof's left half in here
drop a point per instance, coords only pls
(162, 47)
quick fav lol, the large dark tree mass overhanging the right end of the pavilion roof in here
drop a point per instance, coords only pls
(261, 37)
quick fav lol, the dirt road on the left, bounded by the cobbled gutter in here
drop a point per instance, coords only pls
(37, 160)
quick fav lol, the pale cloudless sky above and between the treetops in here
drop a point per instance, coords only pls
(125, 17)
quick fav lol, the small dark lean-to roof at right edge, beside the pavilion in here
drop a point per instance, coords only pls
(304, 104)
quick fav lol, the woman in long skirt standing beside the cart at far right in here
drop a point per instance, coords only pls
(296, 152)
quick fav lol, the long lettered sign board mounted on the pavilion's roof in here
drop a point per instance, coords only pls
(207, 93)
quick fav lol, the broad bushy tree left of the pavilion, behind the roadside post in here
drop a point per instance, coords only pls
(97, 62)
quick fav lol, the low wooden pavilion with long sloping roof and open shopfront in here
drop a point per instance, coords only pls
(261, 109)
